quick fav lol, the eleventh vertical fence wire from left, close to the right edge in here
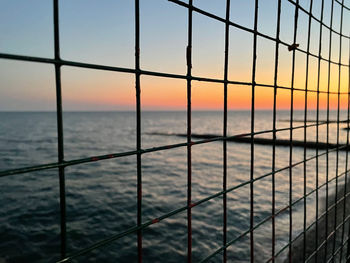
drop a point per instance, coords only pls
(337, 152)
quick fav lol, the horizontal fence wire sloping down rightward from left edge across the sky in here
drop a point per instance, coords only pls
(150, 73)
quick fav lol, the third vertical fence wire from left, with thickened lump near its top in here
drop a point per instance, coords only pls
(189, 134)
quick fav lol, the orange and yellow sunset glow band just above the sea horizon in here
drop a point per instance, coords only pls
(117, 89)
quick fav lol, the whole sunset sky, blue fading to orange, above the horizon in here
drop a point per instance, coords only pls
(102, 32)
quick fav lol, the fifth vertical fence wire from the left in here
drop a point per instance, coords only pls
(252, 133)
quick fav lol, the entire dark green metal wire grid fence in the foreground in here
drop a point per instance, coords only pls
(344, 248)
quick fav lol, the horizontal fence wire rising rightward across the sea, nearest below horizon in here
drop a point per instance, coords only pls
(143, 151)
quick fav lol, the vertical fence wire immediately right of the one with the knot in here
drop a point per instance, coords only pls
(305, 128)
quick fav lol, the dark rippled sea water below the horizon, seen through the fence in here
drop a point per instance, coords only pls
(101, 196)
